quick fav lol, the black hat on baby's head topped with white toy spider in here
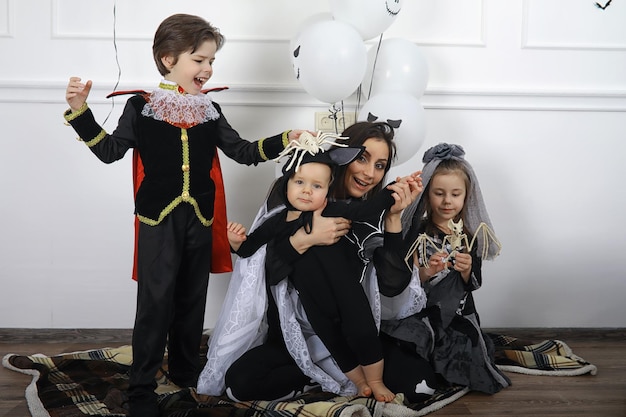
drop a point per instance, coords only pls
(308, 148)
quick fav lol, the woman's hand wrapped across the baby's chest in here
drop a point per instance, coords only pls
(326, 231)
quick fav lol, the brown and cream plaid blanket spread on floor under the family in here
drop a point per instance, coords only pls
(94, 382)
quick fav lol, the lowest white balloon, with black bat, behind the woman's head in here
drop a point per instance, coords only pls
(405, 113)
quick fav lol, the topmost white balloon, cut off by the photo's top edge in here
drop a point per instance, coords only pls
(369, 17)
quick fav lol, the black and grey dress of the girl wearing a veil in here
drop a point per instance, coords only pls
(448, 331)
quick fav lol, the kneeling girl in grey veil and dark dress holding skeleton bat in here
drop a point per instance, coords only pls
(448, 330)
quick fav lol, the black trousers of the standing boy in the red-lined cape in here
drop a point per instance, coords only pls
(174, 259)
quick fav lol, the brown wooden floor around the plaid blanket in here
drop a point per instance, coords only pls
(602, 395)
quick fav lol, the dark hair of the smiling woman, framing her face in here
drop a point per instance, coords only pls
(358, 134)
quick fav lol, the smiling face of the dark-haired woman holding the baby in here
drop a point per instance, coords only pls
(368, 170)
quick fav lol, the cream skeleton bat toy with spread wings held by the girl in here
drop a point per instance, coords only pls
(457, 241)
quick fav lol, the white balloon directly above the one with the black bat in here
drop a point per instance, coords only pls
(397, 66)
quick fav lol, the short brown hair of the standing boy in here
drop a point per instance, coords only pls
(180, 33)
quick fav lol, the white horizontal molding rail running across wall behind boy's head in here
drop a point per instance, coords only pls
(436, 98)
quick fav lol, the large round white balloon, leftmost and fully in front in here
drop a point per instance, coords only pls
(329, 60)
